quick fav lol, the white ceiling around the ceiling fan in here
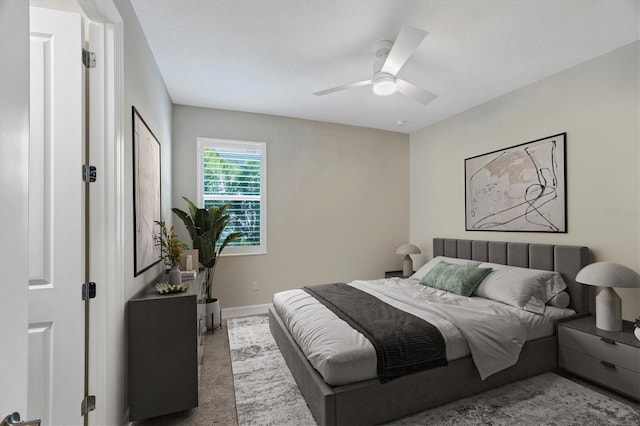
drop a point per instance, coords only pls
(269, 56)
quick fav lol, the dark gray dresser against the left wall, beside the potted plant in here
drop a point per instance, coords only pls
(165, 348)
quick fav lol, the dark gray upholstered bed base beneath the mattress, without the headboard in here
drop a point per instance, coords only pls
(370, 402)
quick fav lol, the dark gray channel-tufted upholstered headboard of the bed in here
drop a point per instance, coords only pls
(567, 260)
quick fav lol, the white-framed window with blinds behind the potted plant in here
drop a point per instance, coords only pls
(234, 172)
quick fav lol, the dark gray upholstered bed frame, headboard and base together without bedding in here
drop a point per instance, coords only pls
(372, 402)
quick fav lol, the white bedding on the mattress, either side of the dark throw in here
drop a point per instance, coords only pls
(492, 332)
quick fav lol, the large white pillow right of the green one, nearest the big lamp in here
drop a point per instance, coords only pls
(524, 288)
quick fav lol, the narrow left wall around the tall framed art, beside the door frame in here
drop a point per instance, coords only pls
(143, 88)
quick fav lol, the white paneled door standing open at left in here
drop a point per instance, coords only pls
(56, 262)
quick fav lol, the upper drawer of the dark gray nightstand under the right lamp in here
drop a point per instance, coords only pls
(616, 353)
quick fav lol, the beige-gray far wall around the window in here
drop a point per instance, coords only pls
(337, 200)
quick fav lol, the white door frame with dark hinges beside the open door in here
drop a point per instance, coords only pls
(106, 342)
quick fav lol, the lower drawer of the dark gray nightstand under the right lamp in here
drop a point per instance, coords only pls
(614, 377)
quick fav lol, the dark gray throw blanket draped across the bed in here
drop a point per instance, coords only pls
(404, 343)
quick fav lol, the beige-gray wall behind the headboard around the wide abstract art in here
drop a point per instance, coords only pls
(597, 104)
